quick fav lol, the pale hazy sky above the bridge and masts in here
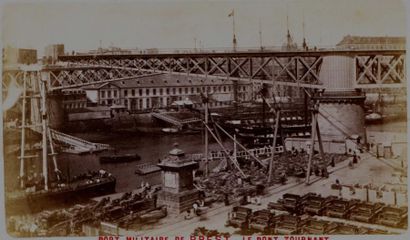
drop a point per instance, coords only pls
(85, 25)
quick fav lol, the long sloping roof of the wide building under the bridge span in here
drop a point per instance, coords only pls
(169, 80)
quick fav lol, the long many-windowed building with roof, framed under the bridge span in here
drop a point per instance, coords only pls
(162, 90)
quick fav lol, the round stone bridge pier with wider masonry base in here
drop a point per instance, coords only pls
(341, 109)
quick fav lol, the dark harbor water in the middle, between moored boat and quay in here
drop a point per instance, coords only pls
(150, 146)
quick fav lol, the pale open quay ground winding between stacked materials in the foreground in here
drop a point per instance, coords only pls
(368, 170)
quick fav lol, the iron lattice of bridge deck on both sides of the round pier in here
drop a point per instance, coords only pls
(294, 68)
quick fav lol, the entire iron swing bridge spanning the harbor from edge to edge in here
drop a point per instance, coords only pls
(372, 69)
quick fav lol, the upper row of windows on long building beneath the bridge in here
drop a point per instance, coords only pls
(168, 91)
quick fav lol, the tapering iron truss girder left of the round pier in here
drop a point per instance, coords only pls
(293, 71)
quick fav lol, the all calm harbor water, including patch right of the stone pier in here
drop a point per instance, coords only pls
(150, 147)
